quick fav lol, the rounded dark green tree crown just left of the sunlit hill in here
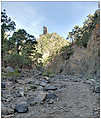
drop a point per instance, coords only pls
(24, 42)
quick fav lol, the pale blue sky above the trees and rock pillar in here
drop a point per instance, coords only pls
(59, 17)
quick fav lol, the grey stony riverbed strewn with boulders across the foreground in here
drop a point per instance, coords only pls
(61, 96)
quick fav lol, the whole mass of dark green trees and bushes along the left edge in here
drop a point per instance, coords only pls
(17, 49)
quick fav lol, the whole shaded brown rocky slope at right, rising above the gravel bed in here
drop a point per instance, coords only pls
(84, 61)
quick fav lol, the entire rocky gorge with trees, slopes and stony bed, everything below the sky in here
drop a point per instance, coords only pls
(51, 77)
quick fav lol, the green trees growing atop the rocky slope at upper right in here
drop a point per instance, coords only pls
(81, 35)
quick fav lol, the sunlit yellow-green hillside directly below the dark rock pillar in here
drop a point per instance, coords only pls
(49, 45)
